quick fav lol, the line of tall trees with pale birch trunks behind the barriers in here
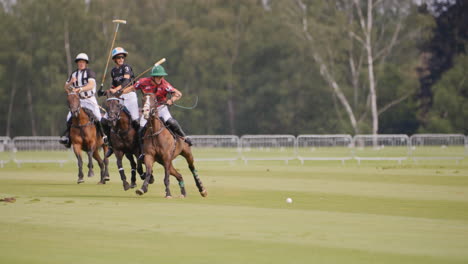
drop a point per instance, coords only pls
(256, 67)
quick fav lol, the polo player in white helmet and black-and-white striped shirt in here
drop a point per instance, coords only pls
(83, 82)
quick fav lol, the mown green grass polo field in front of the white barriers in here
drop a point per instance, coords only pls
(378, 212)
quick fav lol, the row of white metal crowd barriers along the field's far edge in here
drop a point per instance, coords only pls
(270, 147)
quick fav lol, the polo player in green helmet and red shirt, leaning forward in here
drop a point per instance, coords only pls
(163, 89)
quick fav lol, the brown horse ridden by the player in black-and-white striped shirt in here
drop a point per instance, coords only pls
(84, 136)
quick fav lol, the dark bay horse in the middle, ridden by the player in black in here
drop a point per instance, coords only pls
(124, 139)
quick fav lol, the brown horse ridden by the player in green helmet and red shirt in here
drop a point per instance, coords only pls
(162, 146)
